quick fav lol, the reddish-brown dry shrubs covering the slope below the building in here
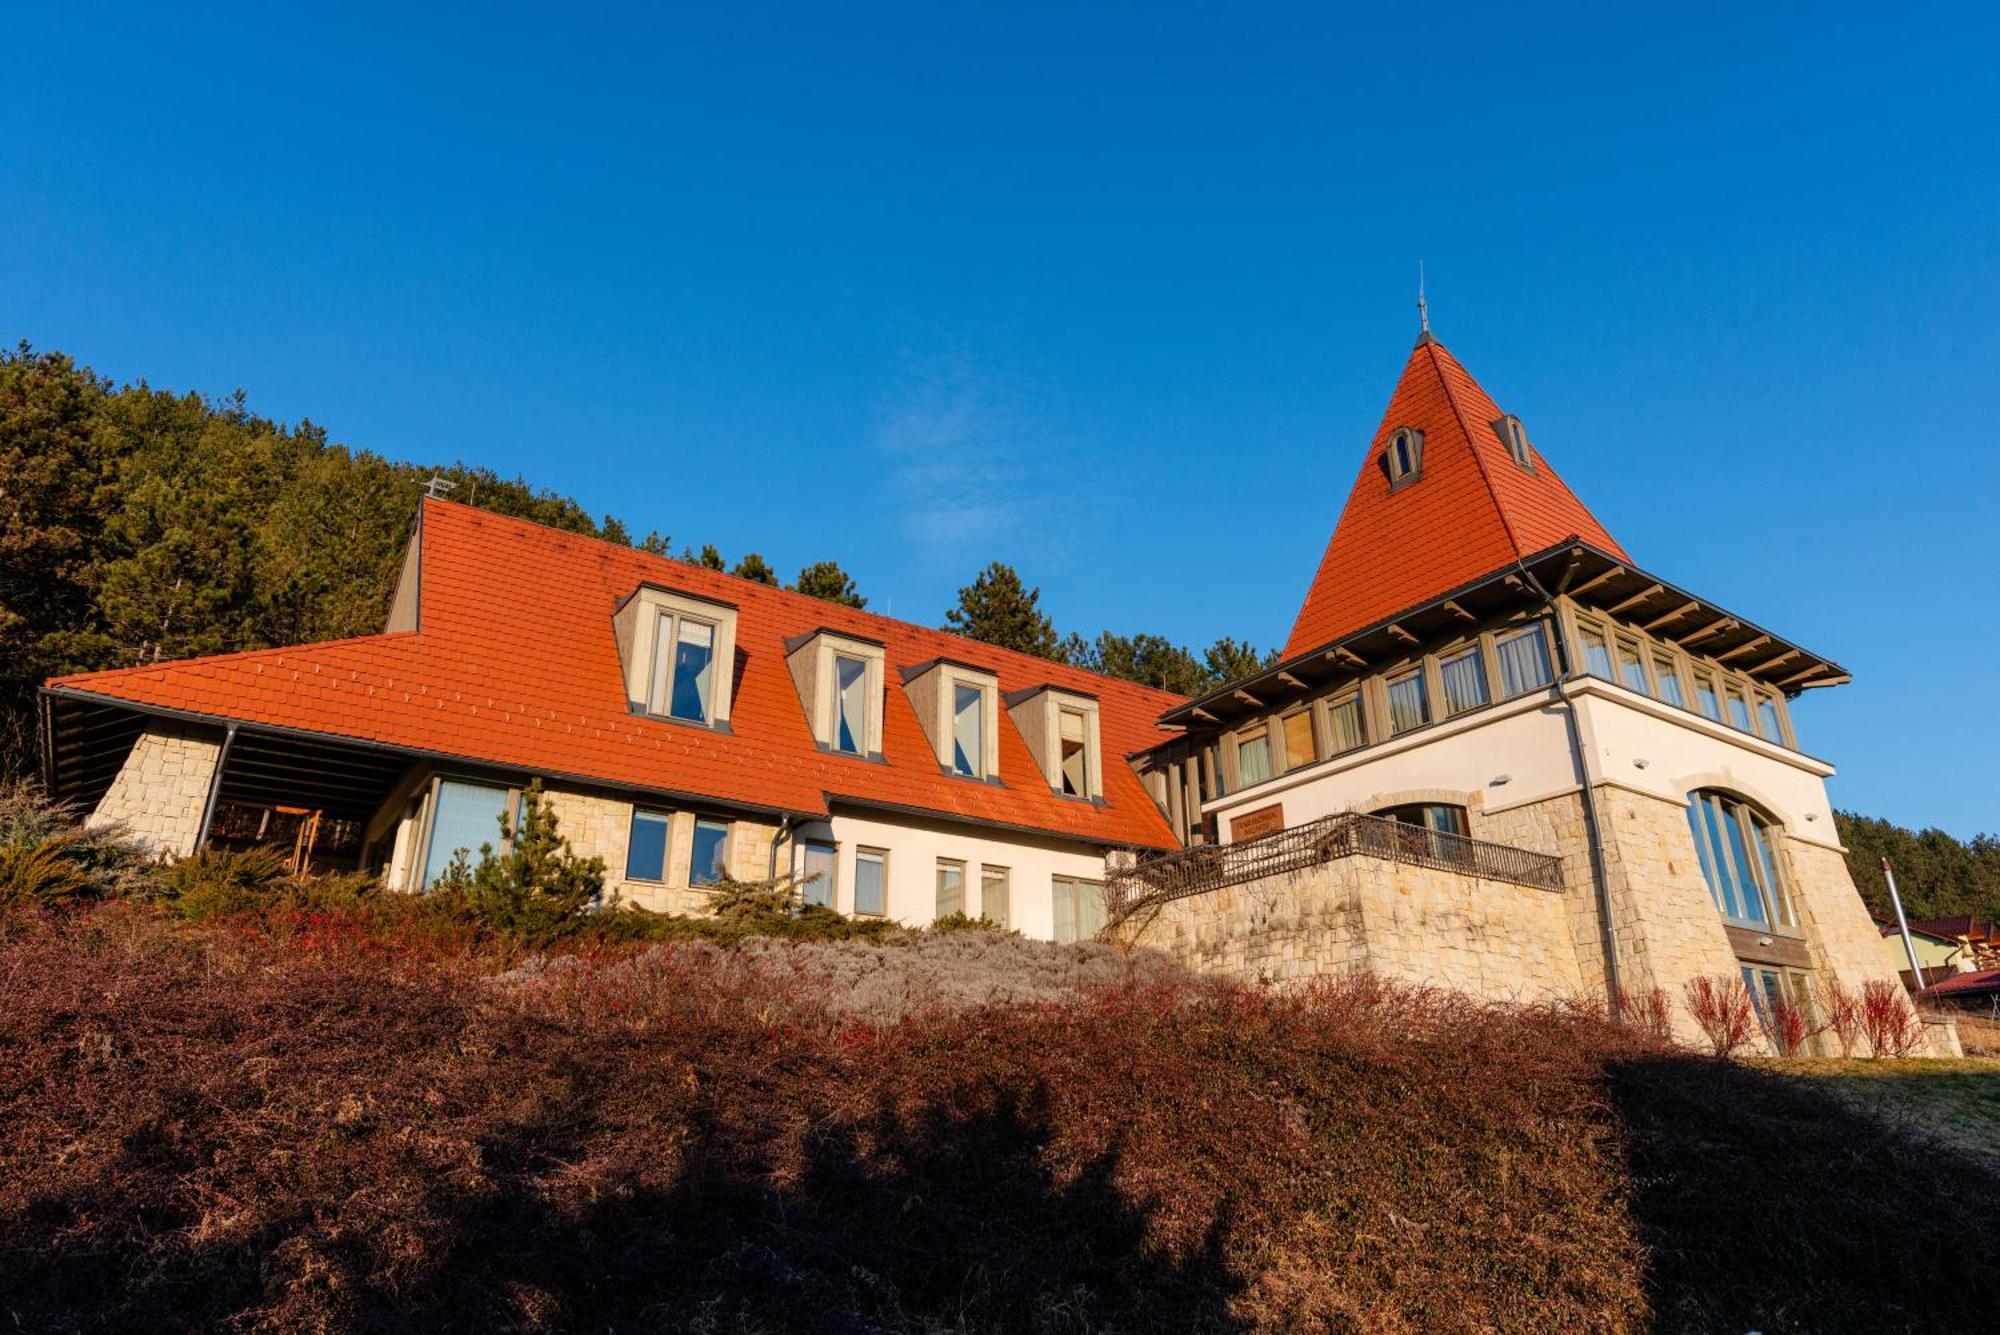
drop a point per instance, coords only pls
(207, 1128)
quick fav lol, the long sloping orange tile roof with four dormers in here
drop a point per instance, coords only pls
(515, 665)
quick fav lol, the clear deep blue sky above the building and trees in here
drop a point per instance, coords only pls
(1113, 297)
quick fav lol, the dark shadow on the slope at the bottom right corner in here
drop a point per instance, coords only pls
(1771, 1204)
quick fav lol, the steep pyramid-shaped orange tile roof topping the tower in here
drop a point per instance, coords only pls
(1471, 513)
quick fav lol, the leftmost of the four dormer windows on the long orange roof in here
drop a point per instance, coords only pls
(677, 655)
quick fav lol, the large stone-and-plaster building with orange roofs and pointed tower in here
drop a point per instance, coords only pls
(1497, 752)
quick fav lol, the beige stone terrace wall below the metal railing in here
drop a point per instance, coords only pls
(1365, 914)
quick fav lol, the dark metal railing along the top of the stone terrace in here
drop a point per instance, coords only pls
(1213, 866)
